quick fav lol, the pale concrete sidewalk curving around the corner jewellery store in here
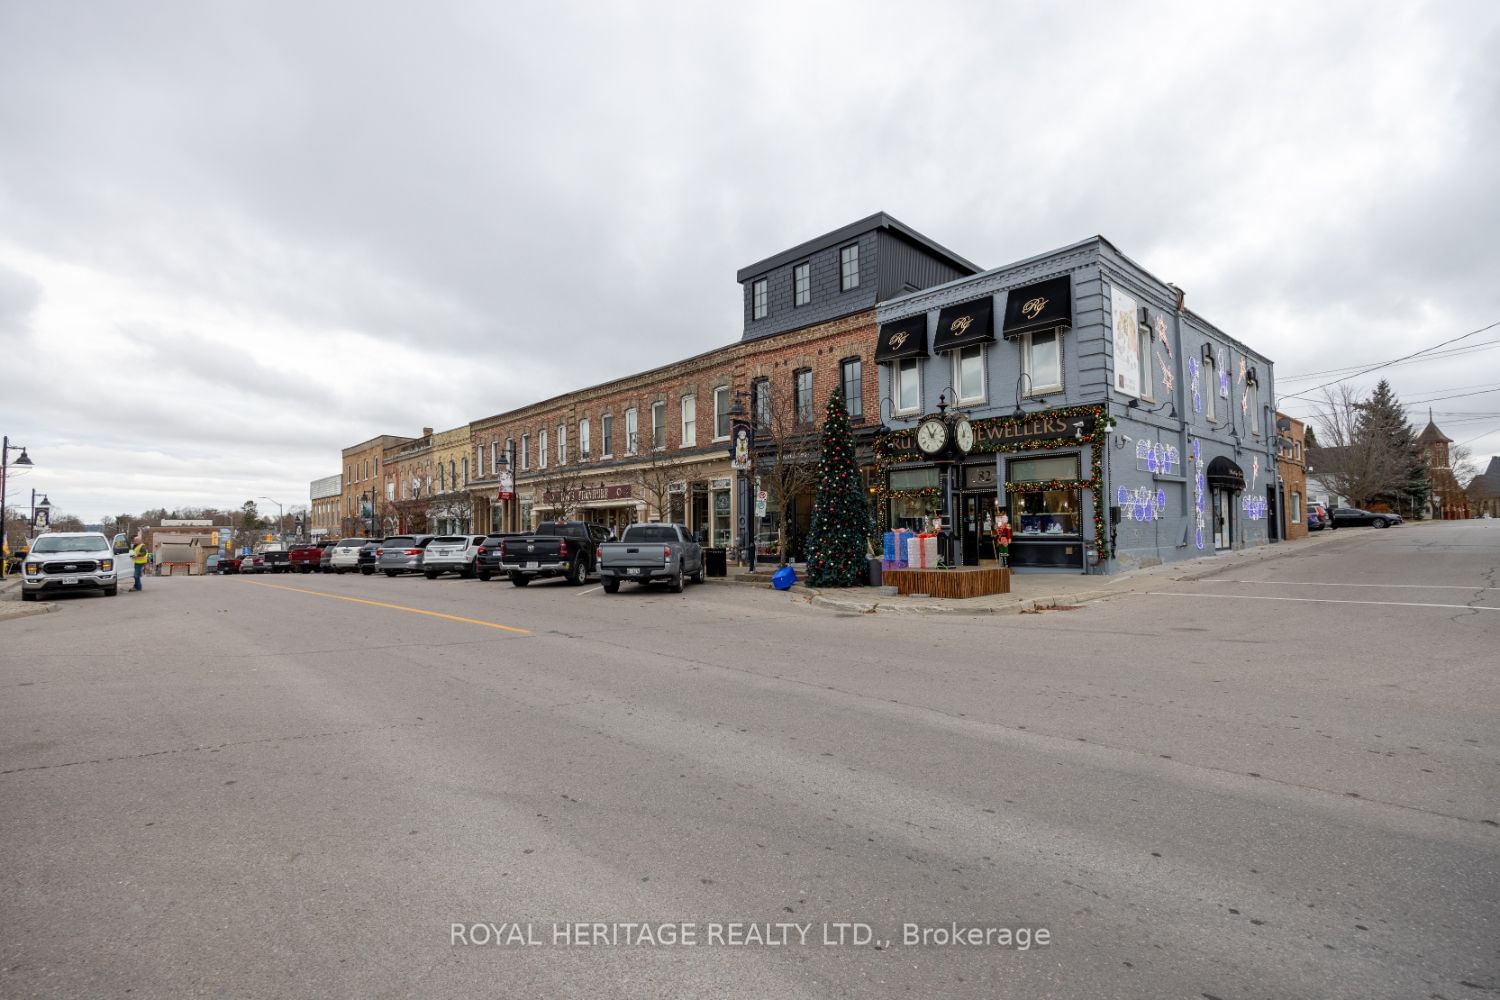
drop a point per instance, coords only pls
(1042, 591)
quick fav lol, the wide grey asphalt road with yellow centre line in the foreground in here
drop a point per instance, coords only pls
(1274, 782)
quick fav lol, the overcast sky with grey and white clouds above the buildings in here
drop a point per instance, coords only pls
(238, 238)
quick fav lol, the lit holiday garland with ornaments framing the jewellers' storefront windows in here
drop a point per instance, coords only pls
(1103, 424)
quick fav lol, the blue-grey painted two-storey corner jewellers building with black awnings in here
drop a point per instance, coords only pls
(1075, 395)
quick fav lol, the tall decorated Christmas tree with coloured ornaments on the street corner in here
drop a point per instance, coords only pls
(841, 533)
